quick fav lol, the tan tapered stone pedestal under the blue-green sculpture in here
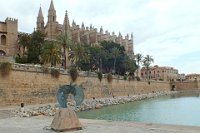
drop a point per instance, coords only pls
(65, 120)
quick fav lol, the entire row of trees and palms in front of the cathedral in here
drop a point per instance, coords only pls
(106, 57)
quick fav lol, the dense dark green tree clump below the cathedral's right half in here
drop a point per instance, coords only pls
(108, 57)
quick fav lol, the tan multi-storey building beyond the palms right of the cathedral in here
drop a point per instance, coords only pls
(159, 73)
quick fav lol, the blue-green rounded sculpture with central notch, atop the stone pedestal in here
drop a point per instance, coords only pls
(65, 90)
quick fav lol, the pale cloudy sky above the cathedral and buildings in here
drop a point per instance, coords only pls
(168, 30)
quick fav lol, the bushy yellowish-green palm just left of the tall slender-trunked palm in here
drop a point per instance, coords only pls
(51, 53)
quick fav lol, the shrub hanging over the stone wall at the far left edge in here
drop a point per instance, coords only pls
(5, 68)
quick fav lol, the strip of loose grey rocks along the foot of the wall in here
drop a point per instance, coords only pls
(88, 104)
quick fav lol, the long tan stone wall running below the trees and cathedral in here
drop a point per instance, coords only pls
(24, 84)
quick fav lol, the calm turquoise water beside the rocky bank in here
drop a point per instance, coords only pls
(176, 109)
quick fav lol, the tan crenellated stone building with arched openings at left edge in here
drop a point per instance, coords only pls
(8, 37)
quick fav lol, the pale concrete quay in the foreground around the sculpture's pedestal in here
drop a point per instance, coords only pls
(40, 124)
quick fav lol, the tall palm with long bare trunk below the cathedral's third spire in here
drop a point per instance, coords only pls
(65, 41)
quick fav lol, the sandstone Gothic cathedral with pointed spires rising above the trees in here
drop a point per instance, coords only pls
(80, 34)
